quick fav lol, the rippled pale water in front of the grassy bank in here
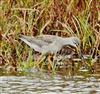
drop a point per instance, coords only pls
(46, 84)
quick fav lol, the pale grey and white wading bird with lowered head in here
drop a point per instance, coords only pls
(49, 43)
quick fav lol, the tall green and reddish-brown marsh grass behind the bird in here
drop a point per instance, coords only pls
(56, 17)
